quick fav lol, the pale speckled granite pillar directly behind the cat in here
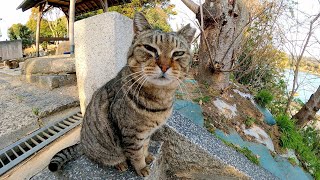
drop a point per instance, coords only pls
(102, 43)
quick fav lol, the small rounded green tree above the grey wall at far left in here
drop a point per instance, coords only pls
(20, 31)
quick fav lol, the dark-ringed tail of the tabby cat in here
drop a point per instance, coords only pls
(63, 156)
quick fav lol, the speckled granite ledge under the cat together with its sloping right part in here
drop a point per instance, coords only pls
(188, 152)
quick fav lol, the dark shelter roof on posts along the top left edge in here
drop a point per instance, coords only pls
(82, 6)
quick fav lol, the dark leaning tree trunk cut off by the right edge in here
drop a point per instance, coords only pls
(309, 110)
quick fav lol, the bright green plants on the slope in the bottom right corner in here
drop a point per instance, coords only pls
(304, 142)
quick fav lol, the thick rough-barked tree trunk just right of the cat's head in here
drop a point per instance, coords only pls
(224, 21)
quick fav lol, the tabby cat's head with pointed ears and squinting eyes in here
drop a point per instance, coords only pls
(159, 58)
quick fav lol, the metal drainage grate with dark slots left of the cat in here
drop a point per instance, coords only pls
(13, 154)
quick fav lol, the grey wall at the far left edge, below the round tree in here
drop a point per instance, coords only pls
(10, 49)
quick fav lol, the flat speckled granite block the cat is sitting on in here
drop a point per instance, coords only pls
(83, 168)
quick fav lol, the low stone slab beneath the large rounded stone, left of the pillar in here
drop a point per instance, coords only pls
(51, 81)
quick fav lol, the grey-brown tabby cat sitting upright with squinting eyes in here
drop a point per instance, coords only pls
(126, 111)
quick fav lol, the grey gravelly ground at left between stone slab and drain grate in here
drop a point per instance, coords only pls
(23, 105)
